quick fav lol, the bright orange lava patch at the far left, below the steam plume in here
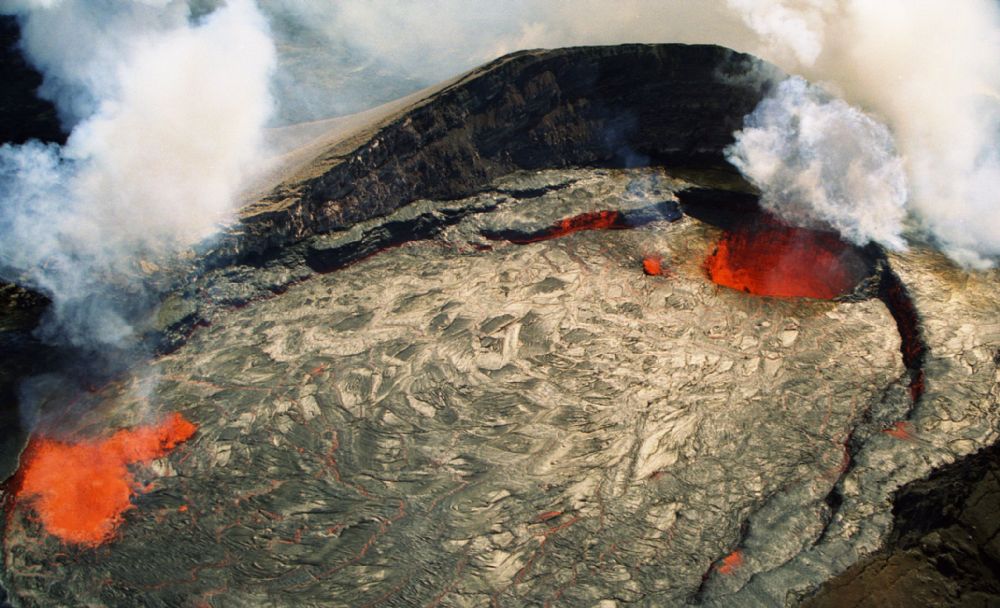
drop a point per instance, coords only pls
(80, 490)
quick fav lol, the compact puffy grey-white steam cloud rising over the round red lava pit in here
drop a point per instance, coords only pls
(818, 158)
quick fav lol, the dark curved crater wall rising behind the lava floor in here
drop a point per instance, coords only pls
(629, 105)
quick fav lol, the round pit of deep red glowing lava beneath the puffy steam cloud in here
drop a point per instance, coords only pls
(778, 260)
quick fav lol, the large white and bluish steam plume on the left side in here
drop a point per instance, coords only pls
(166, 117)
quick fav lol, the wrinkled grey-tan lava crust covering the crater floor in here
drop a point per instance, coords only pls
(461, 421)
